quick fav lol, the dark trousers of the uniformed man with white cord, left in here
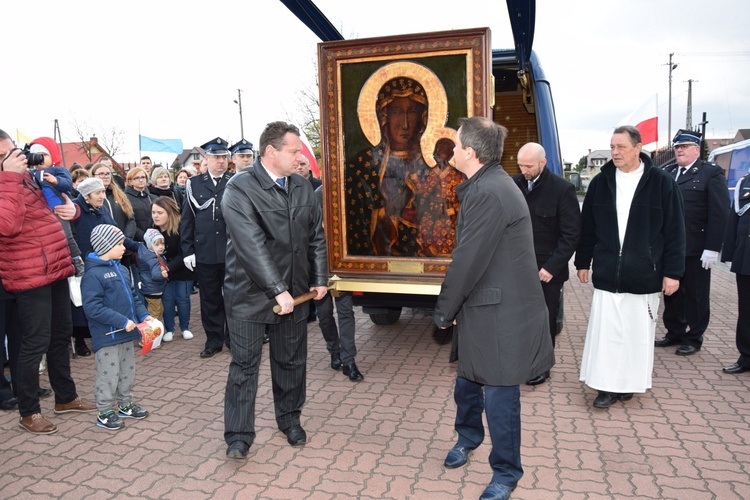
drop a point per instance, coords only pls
(213, 318)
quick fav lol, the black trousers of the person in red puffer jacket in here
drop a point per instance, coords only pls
(44, 314)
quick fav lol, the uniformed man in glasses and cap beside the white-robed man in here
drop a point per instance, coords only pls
(705, 197)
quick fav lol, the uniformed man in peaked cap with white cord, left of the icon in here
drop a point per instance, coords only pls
(204, 241)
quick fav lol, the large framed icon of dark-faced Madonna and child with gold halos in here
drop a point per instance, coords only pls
(390, 109)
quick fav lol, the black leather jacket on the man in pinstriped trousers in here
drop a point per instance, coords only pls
(275, 244)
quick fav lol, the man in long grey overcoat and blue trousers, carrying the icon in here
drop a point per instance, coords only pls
(493, 295)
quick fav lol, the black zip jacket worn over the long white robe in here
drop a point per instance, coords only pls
(654, 245)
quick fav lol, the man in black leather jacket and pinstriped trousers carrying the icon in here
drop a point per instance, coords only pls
(275, 251)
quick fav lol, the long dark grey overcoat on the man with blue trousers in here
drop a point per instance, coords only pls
(492, 286)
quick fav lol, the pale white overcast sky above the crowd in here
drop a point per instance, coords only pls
(171, 69)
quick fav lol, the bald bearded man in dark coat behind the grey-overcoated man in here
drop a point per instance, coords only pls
(556, 220)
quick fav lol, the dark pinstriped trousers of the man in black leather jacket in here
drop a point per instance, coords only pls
(288, 357)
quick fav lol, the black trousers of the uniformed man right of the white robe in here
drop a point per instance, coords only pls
(689, 306)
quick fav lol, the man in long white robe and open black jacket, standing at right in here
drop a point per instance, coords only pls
(633, 243)
